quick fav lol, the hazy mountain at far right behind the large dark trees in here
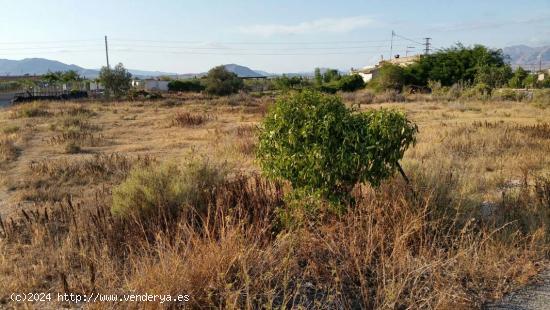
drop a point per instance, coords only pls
(528, 57)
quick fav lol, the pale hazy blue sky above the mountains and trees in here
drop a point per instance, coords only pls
(276, 36)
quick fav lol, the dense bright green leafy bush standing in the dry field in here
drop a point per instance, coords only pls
(319, 145)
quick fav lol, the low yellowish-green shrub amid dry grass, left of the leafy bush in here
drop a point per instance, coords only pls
(167, 189)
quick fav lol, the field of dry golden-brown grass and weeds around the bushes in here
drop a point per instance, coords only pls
(475, 227)
